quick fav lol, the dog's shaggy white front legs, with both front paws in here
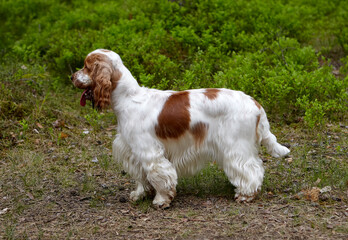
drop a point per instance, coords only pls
(146, 164)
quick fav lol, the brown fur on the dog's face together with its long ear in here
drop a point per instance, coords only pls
(104, 76)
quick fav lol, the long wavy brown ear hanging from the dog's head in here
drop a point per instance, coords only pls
(103, 86)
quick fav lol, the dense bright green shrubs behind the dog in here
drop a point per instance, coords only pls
(278, 52)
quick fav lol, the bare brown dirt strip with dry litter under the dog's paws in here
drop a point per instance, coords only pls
(70, 215)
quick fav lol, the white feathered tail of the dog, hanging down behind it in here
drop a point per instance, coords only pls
(267, 139)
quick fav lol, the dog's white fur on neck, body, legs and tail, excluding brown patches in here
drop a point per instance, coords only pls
(231, 139)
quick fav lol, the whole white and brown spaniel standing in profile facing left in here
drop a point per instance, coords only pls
(166, 134)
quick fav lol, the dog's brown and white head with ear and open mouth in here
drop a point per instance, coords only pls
(98, 77)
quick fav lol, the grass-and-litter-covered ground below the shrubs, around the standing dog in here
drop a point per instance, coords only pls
(58, 181)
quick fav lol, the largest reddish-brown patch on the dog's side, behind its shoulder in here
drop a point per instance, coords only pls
(174, 118)
